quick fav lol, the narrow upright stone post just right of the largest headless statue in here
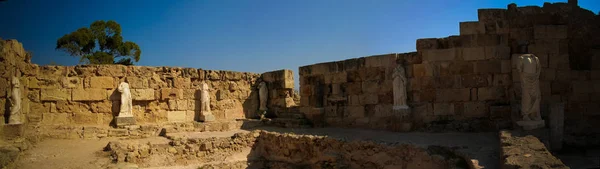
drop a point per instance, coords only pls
(556, 125)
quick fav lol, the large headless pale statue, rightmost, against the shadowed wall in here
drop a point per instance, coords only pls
(529, 68)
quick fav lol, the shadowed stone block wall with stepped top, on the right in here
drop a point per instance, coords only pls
(468, 82)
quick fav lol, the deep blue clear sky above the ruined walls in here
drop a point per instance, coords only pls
(246, 35)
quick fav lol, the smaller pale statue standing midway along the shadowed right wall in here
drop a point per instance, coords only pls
(399, 88)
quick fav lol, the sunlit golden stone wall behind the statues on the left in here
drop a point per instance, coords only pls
(86, 95)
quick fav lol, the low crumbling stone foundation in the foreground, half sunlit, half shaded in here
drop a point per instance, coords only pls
(261, 149)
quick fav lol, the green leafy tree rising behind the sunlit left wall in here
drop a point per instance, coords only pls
(101, 43)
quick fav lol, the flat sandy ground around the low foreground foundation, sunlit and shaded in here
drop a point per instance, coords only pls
(55, 153)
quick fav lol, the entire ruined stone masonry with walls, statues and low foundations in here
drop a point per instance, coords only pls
(528, 75)
